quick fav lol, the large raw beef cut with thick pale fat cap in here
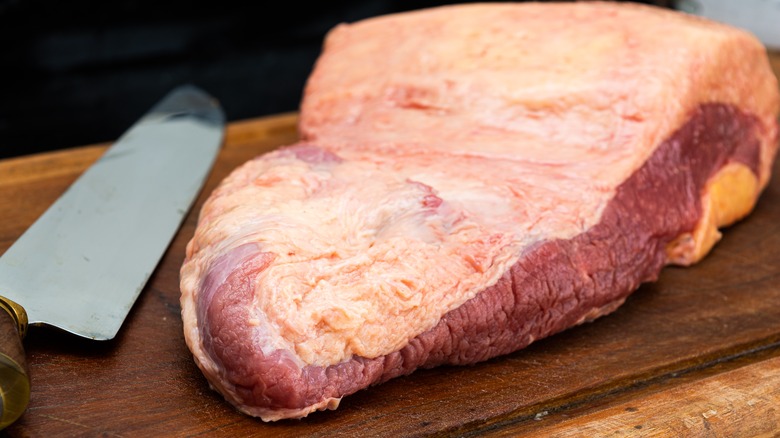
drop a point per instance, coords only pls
(470, 179)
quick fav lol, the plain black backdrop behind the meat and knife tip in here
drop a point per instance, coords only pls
(82, 71)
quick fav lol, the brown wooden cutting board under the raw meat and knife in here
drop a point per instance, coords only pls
(697, 352)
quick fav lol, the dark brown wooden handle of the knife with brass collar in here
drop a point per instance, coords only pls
(14, 372)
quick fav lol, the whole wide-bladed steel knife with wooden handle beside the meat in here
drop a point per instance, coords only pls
(83, 263)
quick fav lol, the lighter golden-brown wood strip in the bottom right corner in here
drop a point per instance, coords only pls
(727, 403)
